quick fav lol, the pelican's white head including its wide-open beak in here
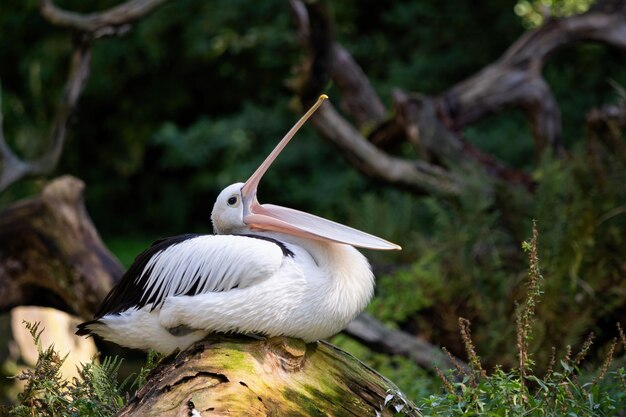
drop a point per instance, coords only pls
(237, 209)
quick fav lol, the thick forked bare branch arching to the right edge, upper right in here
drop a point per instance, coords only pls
(515, 79)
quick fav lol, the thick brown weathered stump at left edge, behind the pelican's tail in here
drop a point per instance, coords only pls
(51, 254)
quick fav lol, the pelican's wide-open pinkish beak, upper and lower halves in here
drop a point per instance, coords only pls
(285, 220)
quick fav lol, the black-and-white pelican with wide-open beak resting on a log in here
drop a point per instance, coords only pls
(267, 270)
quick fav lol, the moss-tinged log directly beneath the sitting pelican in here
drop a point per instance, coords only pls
(244, 376)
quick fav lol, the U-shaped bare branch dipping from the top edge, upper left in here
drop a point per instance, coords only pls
(99, 24)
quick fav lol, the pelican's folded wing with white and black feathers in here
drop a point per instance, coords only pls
(194, 264)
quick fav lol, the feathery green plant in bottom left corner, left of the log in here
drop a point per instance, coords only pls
(96, 392)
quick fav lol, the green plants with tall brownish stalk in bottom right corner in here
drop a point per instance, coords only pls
(565, 391)
